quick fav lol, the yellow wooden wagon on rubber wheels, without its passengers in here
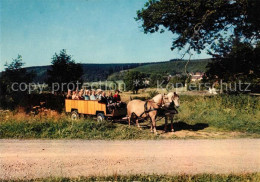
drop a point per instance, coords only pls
(92, 108)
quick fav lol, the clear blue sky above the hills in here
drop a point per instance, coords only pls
(92, 31)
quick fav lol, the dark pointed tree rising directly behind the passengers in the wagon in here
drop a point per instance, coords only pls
(63, 71)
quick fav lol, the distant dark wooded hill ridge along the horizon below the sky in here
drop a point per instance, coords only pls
(97, 72)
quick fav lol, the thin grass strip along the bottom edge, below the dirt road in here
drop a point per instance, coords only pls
(180, 178)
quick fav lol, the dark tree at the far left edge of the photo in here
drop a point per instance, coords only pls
(10, 80)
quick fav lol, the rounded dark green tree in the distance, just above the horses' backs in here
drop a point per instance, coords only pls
(134, 80)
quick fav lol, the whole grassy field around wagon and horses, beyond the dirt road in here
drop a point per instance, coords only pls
(206, 114)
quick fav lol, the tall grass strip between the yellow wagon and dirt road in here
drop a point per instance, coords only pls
(65, 128)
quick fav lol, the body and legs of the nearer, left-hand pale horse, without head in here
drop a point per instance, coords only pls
(142, 109)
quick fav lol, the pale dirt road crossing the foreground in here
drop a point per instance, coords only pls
(72, 158)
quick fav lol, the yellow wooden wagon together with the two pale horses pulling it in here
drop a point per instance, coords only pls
(160, 105)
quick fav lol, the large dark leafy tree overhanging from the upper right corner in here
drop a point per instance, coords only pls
(228, 29)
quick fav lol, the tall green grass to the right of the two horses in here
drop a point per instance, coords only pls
(233, 113)
